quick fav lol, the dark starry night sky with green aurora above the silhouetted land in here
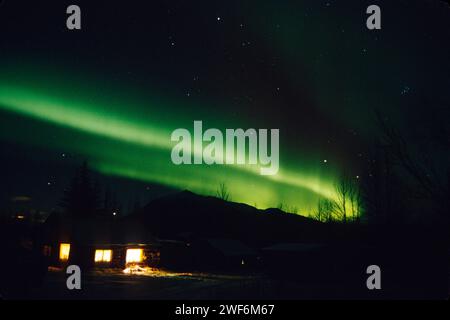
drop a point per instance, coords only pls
(113, 92)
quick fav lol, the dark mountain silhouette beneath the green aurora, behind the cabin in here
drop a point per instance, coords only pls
(186, 213)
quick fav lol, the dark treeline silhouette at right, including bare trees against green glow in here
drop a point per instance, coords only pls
(406, 178)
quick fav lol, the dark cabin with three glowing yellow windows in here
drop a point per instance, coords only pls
(97, 243)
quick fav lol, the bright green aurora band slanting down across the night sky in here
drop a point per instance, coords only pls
(119, 140)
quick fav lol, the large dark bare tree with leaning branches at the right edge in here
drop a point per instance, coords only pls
(420, 152)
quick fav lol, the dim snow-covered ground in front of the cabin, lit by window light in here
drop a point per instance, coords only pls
(148, 284)
